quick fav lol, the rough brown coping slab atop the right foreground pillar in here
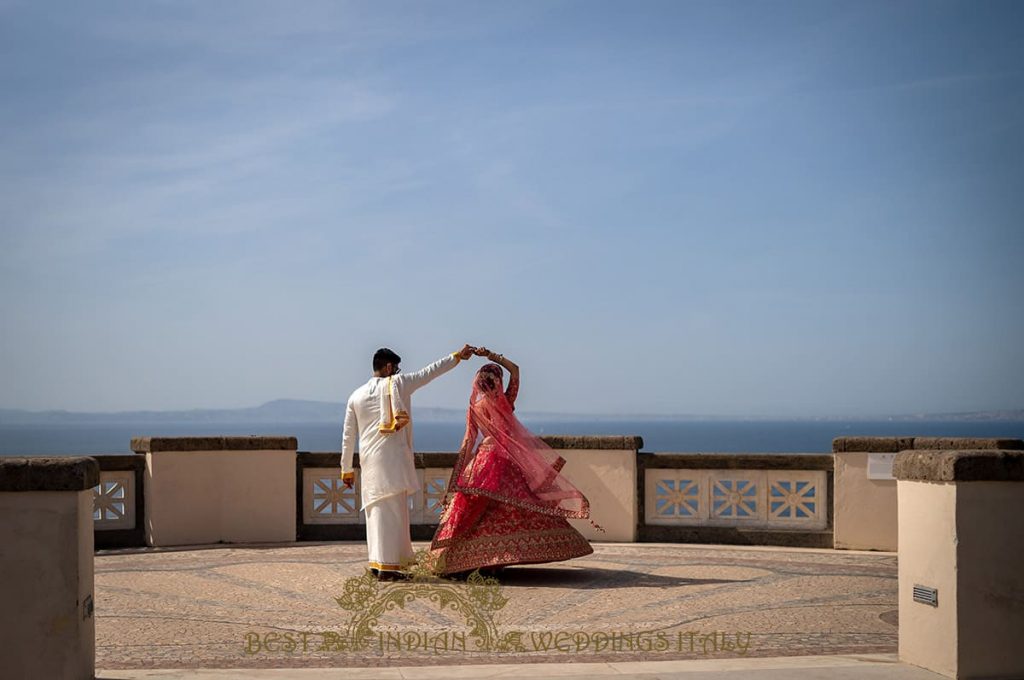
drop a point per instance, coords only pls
(977, 465)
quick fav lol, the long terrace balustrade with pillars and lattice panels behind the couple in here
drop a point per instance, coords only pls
(846, 500)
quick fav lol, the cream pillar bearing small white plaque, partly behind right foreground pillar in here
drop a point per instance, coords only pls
(866, 492)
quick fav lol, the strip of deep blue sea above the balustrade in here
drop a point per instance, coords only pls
(659, 436)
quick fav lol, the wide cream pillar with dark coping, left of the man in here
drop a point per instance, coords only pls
(219, 490)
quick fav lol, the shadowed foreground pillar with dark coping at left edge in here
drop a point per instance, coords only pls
(48, 623)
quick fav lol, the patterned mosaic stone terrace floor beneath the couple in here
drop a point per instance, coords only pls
(275, 607)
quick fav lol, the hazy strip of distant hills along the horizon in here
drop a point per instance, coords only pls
(304, 411)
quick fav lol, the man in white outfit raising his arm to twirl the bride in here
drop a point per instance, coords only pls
(379, 415)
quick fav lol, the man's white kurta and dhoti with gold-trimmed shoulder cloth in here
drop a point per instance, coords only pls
(388, 470)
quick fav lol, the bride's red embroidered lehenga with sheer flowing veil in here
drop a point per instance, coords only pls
(507, 502)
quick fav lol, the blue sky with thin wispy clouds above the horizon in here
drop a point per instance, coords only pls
(715, 208)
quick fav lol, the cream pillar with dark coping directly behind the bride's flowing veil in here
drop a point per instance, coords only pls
(605, 469)
